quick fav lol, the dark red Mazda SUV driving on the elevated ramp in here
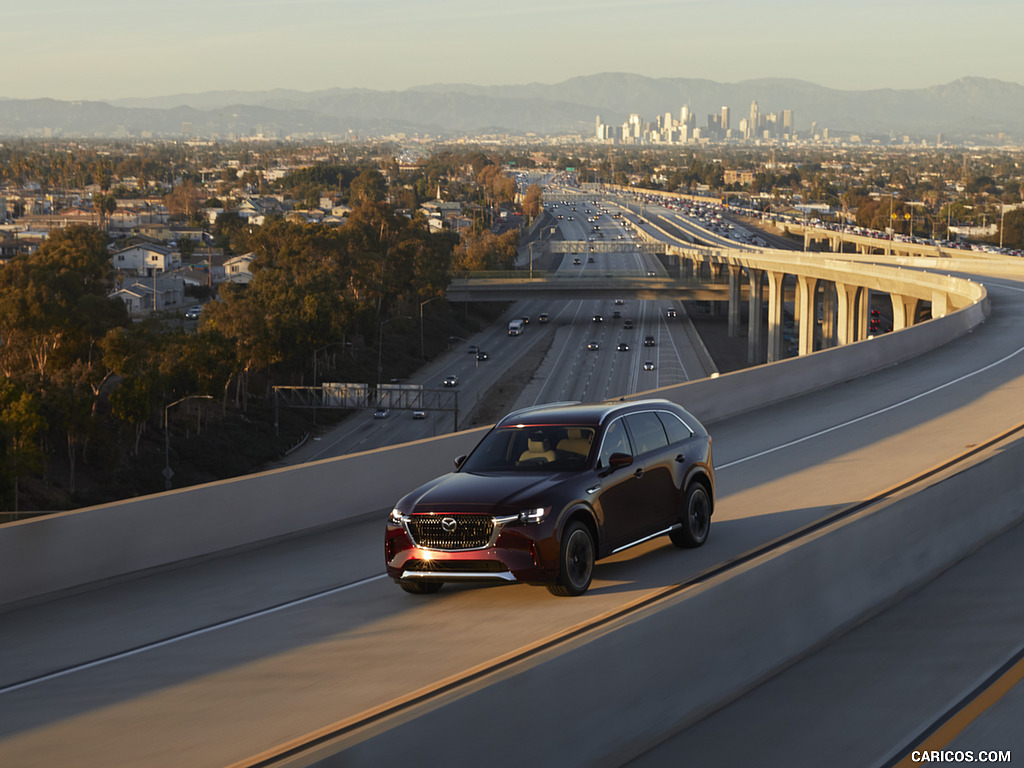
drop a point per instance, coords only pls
(551, 490)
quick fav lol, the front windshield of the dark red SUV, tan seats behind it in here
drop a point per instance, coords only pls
(547, 448)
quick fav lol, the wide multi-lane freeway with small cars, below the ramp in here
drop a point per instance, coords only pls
(570, 358)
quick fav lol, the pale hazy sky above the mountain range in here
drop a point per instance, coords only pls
(106, 50)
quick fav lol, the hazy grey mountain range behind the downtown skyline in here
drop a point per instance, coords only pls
(977, 109)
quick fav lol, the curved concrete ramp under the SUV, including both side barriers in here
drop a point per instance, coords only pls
(836, 493)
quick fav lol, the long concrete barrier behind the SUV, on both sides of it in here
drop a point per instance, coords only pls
(71, 549)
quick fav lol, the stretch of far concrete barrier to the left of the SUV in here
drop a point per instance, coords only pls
(70, 549)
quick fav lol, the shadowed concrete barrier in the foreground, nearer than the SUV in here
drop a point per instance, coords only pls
(607, 701)
